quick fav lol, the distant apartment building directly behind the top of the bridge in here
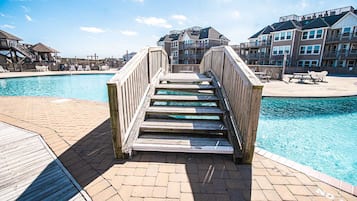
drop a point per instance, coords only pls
(188, 46)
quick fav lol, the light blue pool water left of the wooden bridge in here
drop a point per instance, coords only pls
(86, 87)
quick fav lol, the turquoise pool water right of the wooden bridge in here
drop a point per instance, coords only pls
(320, 133)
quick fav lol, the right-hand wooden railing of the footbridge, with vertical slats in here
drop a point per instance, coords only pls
(243, 91)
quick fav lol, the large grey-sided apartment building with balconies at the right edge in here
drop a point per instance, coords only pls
(325, 40)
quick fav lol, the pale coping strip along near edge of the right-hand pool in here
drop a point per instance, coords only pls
(339, 184)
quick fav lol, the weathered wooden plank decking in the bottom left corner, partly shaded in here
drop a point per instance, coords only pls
(29, 171)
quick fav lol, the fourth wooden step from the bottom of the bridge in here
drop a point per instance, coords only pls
(183, 98)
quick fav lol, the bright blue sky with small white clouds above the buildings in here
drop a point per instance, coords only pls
(110, 27)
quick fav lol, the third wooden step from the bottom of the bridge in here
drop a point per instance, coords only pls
(163, 110)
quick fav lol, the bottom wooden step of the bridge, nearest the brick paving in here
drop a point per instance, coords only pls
(187, 144)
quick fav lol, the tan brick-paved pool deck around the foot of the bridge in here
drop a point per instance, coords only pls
(79, 134)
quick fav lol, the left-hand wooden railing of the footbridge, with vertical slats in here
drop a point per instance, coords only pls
(127, 91)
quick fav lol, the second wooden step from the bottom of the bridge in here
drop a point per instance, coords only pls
(183, 126)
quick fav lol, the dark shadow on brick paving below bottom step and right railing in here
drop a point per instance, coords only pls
(210, 176)
